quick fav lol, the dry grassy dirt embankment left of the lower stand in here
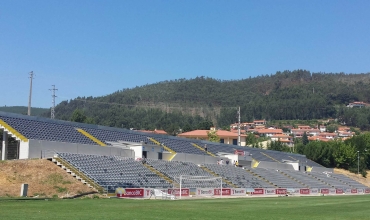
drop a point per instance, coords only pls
(44, 179)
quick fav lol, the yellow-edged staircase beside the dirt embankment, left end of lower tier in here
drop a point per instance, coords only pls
(78, 174)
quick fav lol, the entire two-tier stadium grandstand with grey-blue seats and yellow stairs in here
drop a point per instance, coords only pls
(108, 158)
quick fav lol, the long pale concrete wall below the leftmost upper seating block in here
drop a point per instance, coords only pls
(38, 149)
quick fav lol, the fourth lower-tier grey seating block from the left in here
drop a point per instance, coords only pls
(277, 178)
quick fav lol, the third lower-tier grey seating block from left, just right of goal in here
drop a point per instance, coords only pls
(238, 176)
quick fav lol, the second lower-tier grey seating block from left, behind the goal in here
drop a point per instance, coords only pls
(174, 169)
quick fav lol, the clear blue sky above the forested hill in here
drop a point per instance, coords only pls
(94, 47)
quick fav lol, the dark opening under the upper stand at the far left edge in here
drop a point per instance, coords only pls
(9, 146)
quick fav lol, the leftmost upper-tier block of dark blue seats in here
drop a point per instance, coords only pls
(40, 130)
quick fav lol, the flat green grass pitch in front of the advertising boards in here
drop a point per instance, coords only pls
(321, 208)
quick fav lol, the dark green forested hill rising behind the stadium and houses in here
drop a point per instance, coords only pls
(297, 94)
